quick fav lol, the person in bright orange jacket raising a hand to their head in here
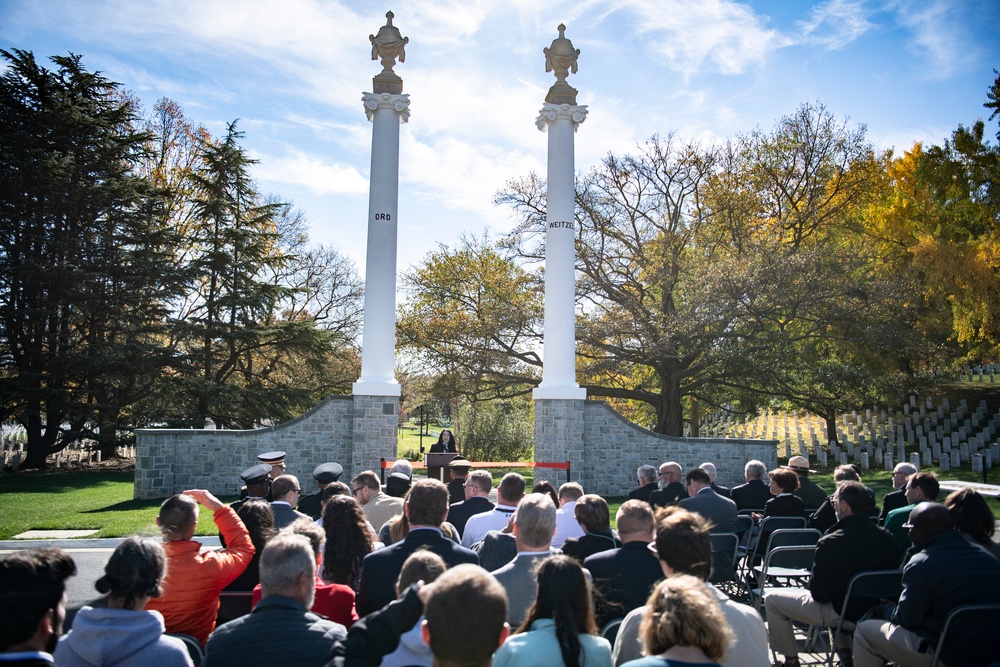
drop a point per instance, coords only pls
(190, 600)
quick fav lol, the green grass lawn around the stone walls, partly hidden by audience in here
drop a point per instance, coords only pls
(102, 500)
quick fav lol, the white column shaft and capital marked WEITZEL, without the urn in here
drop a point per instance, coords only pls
(559, 343)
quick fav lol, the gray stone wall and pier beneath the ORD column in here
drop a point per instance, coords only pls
(355, 431)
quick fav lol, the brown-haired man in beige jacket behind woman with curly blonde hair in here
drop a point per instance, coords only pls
(683, 547)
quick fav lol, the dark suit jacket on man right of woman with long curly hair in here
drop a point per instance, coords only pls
(380, 569)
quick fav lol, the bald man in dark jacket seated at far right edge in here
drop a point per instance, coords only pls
(948, 571)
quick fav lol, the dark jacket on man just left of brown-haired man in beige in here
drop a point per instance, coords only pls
(624, 577)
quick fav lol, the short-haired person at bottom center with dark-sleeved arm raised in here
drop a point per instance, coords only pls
(464, 622)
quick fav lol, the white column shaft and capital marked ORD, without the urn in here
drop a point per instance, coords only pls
(386, 112)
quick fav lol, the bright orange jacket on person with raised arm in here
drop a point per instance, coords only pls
(190, 599)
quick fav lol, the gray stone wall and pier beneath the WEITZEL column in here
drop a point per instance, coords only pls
(605, 449)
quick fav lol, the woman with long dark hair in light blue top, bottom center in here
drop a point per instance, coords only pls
(559, 628)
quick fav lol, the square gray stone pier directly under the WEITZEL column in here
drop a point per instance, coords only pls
(559, 434)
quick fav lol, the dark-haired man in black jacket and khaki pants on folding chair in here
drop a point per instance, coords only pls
(853, 545)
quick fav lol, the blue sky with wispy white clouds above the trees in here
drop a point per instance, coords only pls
(293, 72)
